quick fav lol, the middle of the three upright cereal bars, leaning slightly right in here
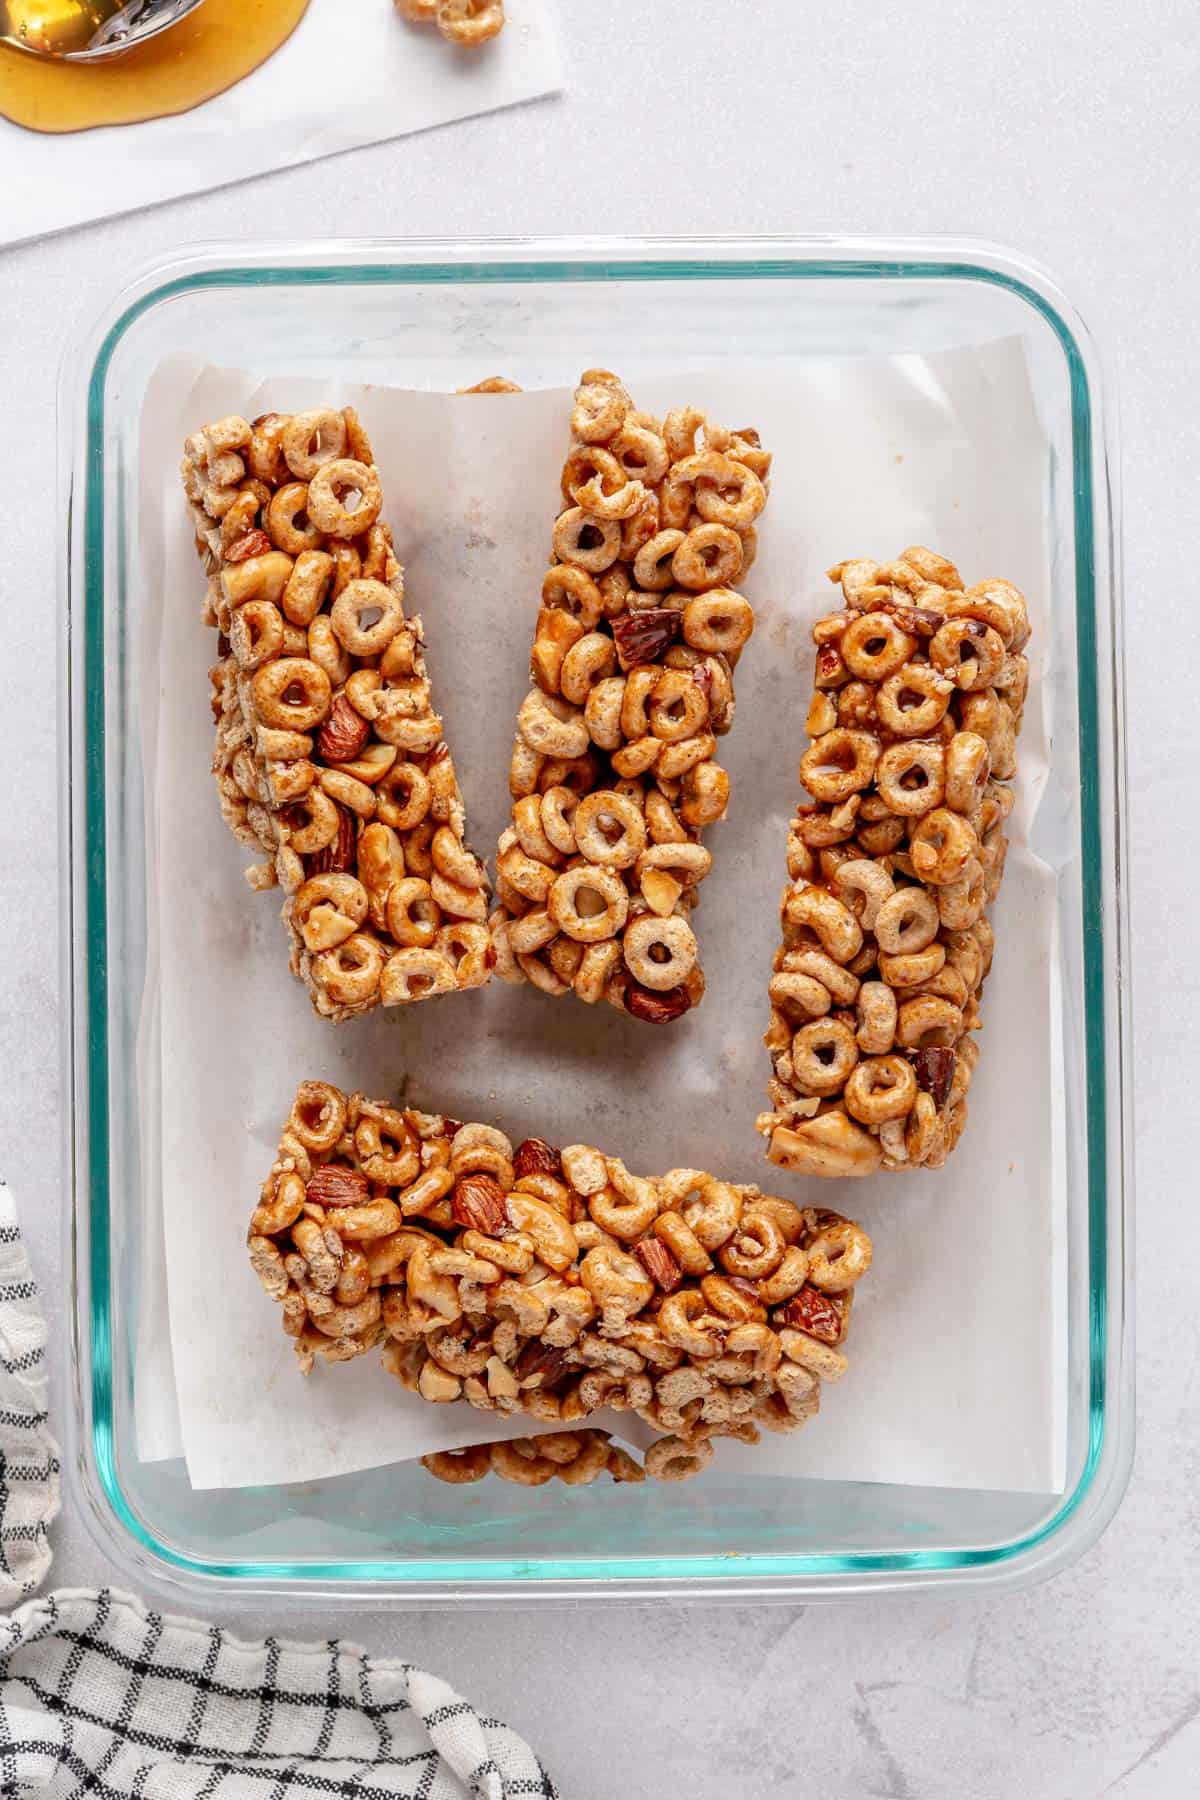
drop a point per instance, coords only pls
(614, 771)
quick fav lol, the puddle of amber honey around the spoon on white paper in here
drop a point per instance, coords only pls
(204, 55)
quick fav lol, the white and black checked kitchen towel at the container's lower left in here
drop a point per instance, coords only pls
(103, 1698)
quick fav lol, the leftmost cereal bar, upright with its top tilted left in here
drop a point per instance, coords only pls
(330, 755)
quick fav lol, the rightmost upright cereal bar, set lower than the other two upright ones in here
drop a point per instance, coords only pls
(875, 991)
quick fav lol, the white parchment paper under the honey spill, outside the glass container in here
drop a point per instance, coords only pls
(354, 73)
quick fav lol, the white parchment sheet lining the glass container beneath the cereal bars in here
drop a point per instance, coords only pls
(958, 1369)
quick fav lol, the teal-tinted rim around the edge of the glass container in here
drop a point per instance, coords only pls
(91, 1250)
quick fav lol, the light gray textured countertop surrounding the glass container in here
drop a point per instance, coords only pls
(1073, 134)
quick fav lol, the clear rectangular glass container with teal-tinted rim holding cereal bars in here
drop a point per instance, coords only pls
(438, 316)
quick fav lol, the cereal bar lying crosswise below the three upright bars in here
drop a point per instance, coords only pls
(551, 1282)
